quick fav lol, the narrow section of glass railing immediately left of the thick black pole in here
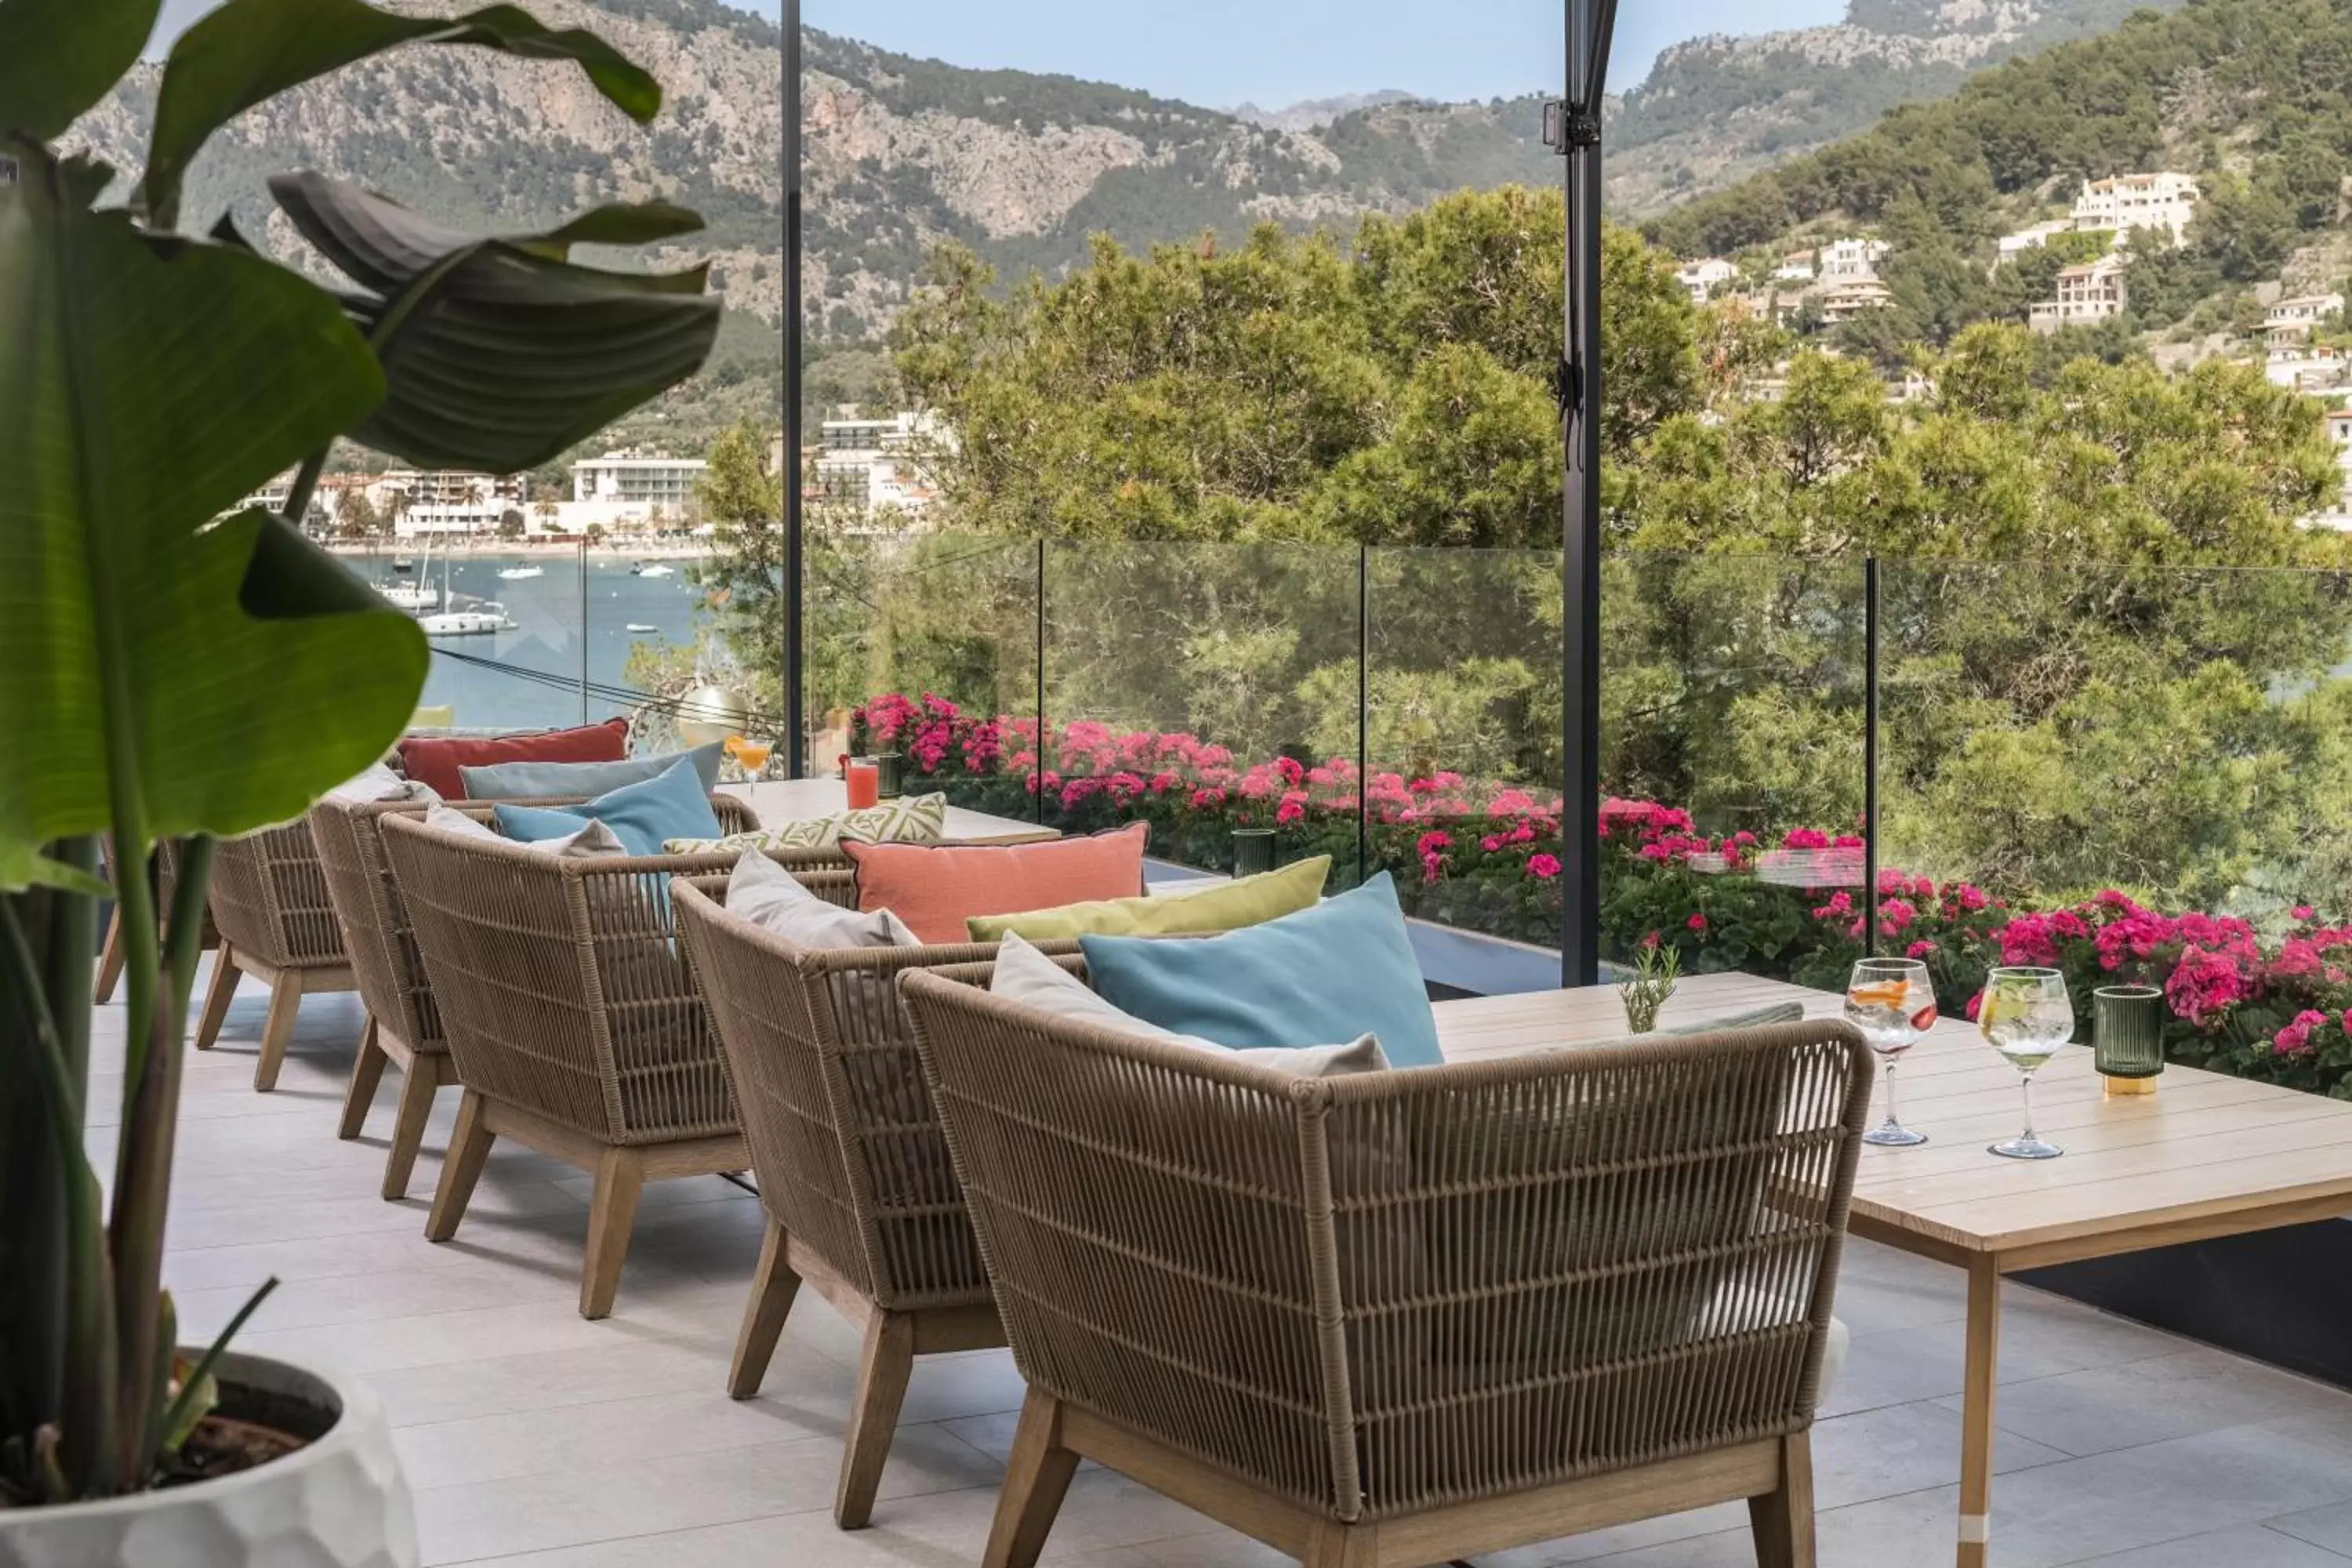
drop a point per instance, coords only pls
(1464, 749)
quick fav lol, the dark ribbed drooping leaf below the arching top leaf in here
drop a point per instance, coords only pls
(502, 354)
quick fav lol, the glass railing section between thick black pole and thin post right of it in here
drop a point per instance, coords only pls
(1732, 763)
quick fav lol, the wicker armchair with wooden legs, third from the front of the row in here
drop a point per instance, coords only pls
(573, 1021)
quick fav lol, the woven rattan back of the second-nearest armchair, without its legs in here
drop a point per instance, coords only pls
(841, 1125)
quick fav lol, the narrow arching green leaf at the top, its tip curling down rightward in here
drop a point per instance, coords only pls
(250, 51)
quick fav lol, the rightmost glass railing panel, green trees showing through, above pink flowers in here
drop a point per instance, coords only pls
(2170, 737)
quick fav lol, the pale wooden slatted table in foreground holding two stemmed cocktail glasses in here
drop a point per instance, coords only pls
(2207, 1155)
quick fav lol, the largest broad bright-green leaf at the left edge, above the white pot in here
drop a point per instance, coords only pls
(215, 678)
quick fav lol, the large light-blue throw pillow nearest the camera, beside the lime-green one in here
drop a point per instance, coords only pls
(1314, 979)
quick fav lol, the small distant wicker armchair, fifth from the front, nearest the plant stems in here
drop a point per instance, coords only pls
(269, 902)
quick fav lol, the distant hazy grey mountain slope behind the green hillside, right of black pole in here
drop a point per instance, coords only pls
(1723, 107)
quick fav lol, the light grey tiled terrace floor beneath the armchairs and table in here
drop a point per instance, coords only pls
(540, 1440)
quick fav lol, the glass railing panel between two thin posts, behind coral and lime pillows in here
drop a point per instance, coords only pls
(1208, 690)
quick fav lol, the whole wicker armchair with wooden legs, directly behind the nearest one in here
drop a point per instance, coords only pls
(860, 1195)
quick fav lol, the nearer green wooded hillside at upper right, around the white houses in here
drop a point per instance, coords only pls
(2243, 95)
